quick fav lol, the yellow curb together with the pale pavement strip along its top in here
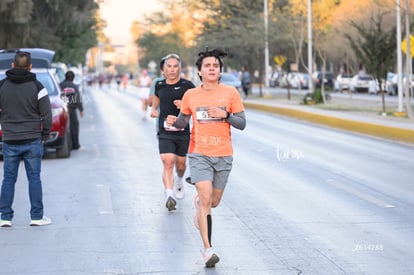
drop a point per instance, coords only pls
(398, 129)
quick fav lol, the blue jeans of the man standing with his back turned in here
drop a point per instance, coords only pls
(32, 154)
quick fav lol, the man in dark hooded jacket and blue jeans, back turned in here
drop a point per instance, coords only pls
(26, 120)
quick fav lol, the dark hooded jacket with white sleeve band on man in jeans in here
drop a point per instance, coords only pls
(25, 111)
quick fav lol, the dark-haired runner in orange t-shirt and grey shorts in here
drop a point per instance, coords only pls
(214, 107)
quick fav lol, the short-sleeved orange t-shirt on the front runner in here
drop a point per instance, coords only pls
(210, 136)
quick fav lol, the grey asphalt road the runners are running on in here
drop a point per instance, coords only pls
(302, 199)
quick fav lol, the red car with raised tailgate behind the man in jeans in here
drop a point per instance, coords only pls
(59, 139)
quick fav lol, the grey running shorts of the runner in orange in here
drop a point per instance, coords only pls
(214, 169)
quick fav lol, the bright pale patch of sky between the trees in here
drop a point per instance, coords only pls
(119, 15)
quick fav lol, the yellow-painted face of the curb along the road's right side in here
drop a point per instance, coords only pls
(387, 132)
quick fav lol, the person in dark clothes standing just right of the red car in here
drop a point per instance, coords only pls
(74, 101)
